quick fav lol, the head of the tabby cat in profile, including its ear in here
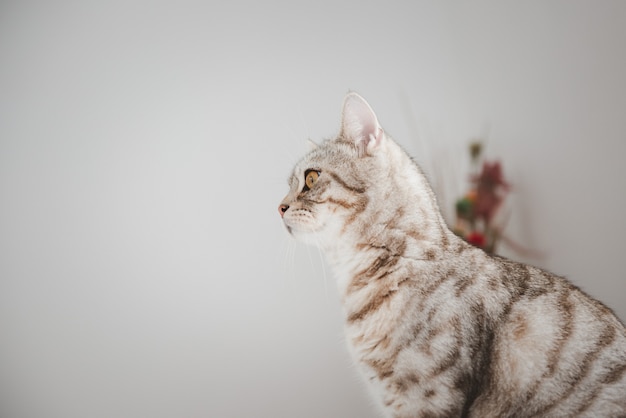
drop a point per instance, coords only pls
(332, 186)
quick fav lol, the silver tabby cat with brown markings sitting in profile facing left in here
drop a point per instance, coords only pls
(438, 327)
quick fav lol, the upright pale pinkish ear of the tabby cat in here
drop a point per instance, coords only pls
(360, 125)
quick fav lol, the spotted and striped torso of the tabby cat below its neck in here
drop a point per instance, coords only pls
(481, 336)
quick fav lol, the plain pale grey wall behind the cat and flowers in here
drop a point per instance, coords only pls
(145, 146)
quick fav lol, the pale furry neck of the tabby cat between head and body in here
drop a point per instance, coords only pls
(402, 220)
